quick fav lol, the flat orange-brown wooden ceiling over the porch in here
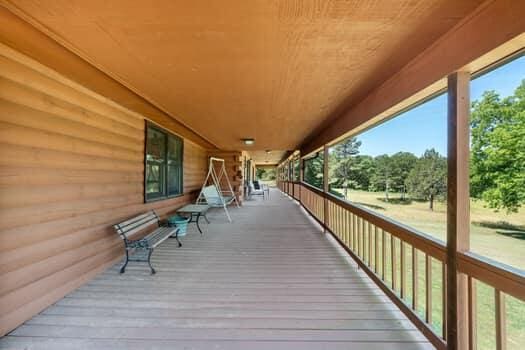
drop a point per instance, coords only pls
(272, 70)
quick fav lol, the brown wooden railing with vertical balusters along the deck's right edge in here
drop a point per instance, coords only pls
(410, 266)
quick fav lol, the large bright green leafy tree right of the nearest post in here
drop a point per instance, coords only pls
(498, 150)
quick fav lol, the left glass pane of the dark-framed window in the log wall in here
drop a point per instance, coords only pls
(155, 163)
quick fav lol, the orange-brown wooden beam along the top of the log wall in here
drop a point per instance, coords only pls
(23, 37)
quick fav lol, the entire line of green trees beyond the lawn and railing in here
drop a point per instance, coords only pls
(497, 166)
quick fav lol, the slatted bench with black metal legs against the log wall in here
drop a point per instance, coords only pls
(143, 248)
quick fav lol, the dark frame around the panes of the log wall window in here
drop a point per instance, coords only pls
(149, 197)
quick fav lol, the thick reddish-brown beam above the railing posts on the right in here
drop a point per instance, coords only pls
(492, 24)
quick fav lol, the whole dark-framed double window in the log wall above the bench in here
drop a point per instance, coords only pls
(163, 173)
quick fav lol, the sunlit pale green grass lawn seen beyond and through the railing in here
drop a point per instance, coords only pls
(499, 236)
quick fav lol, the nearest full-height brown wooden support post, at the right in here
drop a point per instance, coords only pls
(458, 208)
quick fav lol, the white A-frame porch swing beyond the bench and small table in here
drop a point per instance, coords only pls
(217, 197)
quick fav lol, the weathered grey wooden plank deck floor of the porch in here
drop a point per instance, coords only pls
(270, 280)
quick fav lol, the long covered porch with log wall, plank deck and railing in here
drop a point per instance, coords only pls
(110, 110)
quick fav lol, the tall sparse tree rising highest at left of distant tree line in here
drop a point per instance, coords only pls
(342, 156)
